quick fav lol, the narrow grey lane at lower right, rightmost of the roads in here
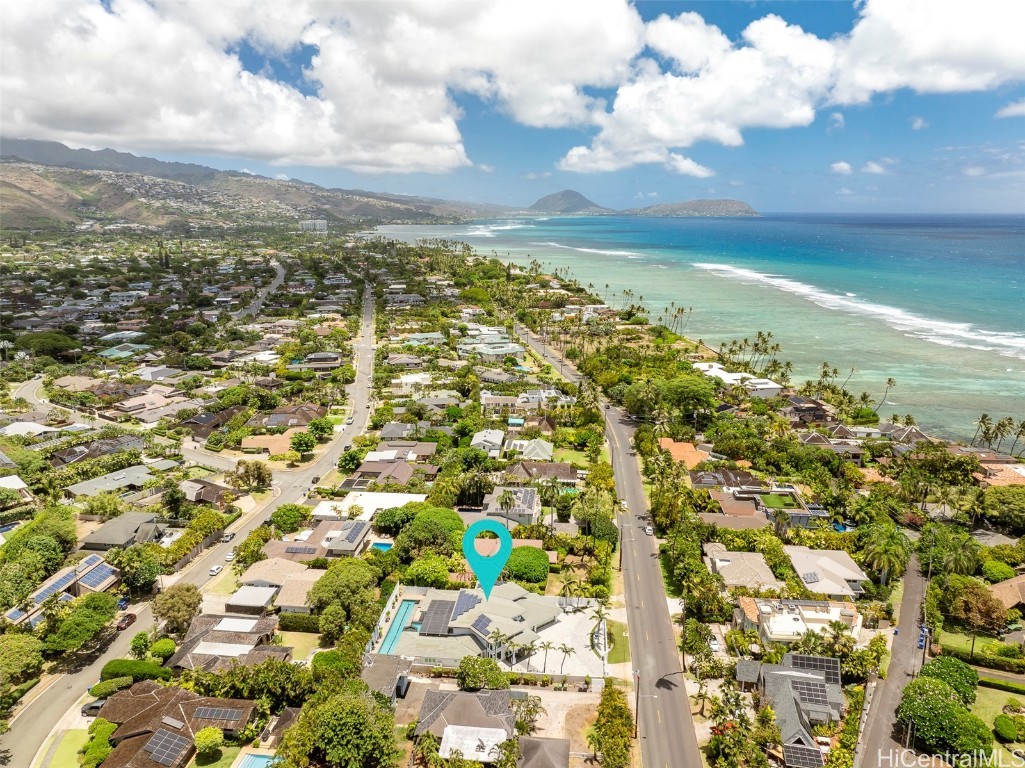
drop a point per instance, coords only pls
(882, 735)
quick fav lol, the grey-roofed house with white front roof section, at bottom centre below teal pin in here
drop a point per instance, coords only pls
(473, 723)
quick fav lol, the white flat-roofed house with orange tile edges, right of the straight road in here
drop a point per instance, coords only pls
(780, 621)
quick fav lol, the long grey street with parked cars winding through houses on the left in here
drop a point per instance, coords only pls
(34, 723)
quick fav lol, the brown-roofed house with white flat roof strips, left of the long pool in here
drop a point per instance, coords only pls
(215, 643)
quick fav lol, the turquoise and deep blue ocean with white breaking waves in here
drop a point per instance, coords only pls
(935, 302)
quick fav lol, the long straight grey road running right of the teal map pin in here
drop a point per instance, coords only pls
(667, 729)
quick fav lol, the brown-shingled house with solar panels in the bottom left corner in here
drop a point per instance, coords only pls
(157, 725)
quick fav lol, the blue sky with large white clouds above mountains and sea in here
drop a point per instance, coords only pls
(876, 106)
